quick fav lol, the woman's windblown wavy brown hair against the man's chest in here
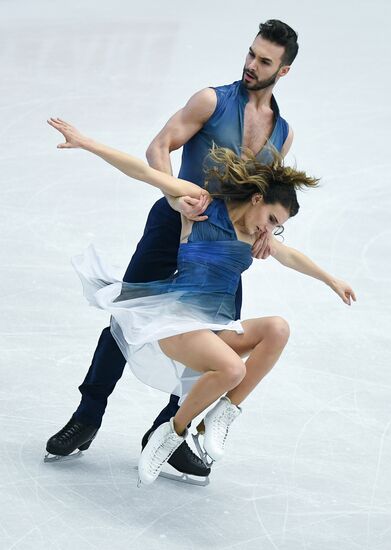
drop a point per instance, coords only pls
(233, 178)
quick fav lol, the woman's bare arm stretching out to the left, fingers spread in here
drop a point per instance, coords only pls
(129, 165)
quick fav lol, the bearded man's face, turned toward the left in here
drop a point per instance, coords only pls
(263, 66)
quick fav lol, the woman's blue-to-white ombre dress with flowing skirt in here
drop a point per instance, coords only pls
(201, 295)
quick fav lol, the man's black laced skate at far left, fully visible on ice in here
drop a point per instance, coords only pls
(74, 435)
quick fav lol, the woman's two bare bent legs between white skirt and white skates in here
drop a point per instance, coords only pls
(218, 356)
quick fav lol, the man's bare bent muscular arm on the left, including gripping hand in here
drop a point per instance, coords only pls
(181, 127)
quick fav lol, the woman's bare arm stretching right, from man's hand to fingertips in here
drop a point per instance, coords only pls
(294, 259)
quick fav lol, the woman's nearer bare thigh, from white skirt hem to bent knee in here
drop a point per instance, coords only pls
(201, 350)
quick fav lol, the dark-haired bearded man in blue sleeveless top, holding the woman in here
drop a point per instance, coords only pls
(243, 114)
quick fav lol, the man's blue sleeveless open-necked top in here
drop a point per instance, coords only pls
(225, 129)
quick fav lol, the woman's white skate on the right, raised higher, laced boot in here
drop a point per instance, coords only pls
(216, 425)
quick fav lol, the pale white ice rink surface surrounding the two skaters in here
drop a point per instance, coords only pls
(308, 463)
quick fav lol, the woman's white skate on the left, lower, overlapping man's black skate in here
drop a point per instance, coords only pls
(162, 443)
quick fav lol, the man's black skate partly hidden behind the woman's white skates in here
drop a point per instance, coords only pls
(183, 465)
